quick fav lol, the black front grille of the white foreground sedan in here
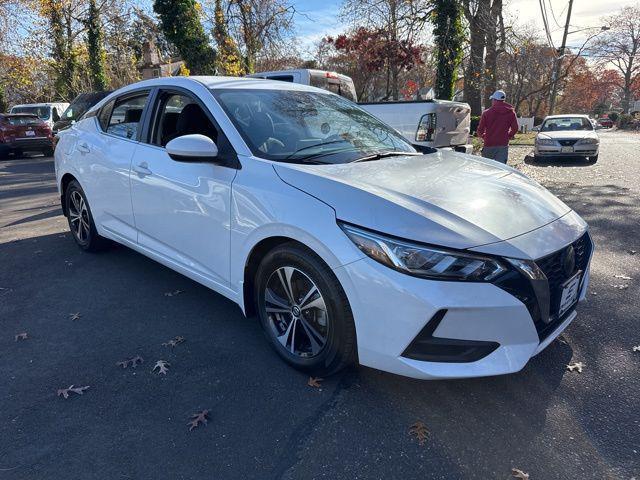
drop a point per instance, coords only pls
(552, 266)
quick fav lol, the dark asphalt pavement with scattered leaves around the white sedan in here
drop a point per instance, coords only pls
(264, 421)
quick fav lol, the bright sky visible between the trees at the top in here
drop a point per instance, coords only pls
(318, 18)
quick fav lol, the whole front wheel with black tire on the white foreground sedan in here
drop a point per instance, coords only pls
(320, 340)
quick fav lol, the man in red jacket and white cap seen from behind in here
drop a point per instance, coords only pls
(497, 126)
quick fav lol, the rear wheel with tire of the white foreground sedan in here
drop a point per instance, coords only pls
(82, 226)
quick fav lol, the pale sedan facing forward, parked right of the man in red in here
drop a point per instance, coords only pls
(567, 136)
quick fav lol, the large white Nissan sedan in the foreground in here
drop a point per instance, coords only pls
(349, 245)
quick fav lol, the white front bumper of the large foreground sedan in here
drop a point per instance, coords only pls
(392, 309)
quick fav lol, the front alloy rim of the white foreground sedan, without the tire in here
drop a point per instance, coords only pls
(296, 312)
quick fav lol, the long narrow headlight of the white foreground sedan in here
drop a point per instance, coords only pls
(423, 261)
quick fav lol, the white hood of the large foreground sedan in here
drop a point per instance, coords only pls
(444, 198)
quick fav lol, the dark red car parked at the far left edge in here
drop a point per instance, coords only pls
(23, 132)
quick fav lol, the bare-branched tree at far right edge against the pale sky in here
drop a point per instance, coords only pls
(620, 47)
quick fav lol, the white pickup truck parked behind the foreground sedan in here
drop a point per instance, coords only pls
(425, 123)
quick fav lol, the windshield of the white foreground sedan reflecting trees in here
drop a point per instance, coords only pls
(299, 126)
